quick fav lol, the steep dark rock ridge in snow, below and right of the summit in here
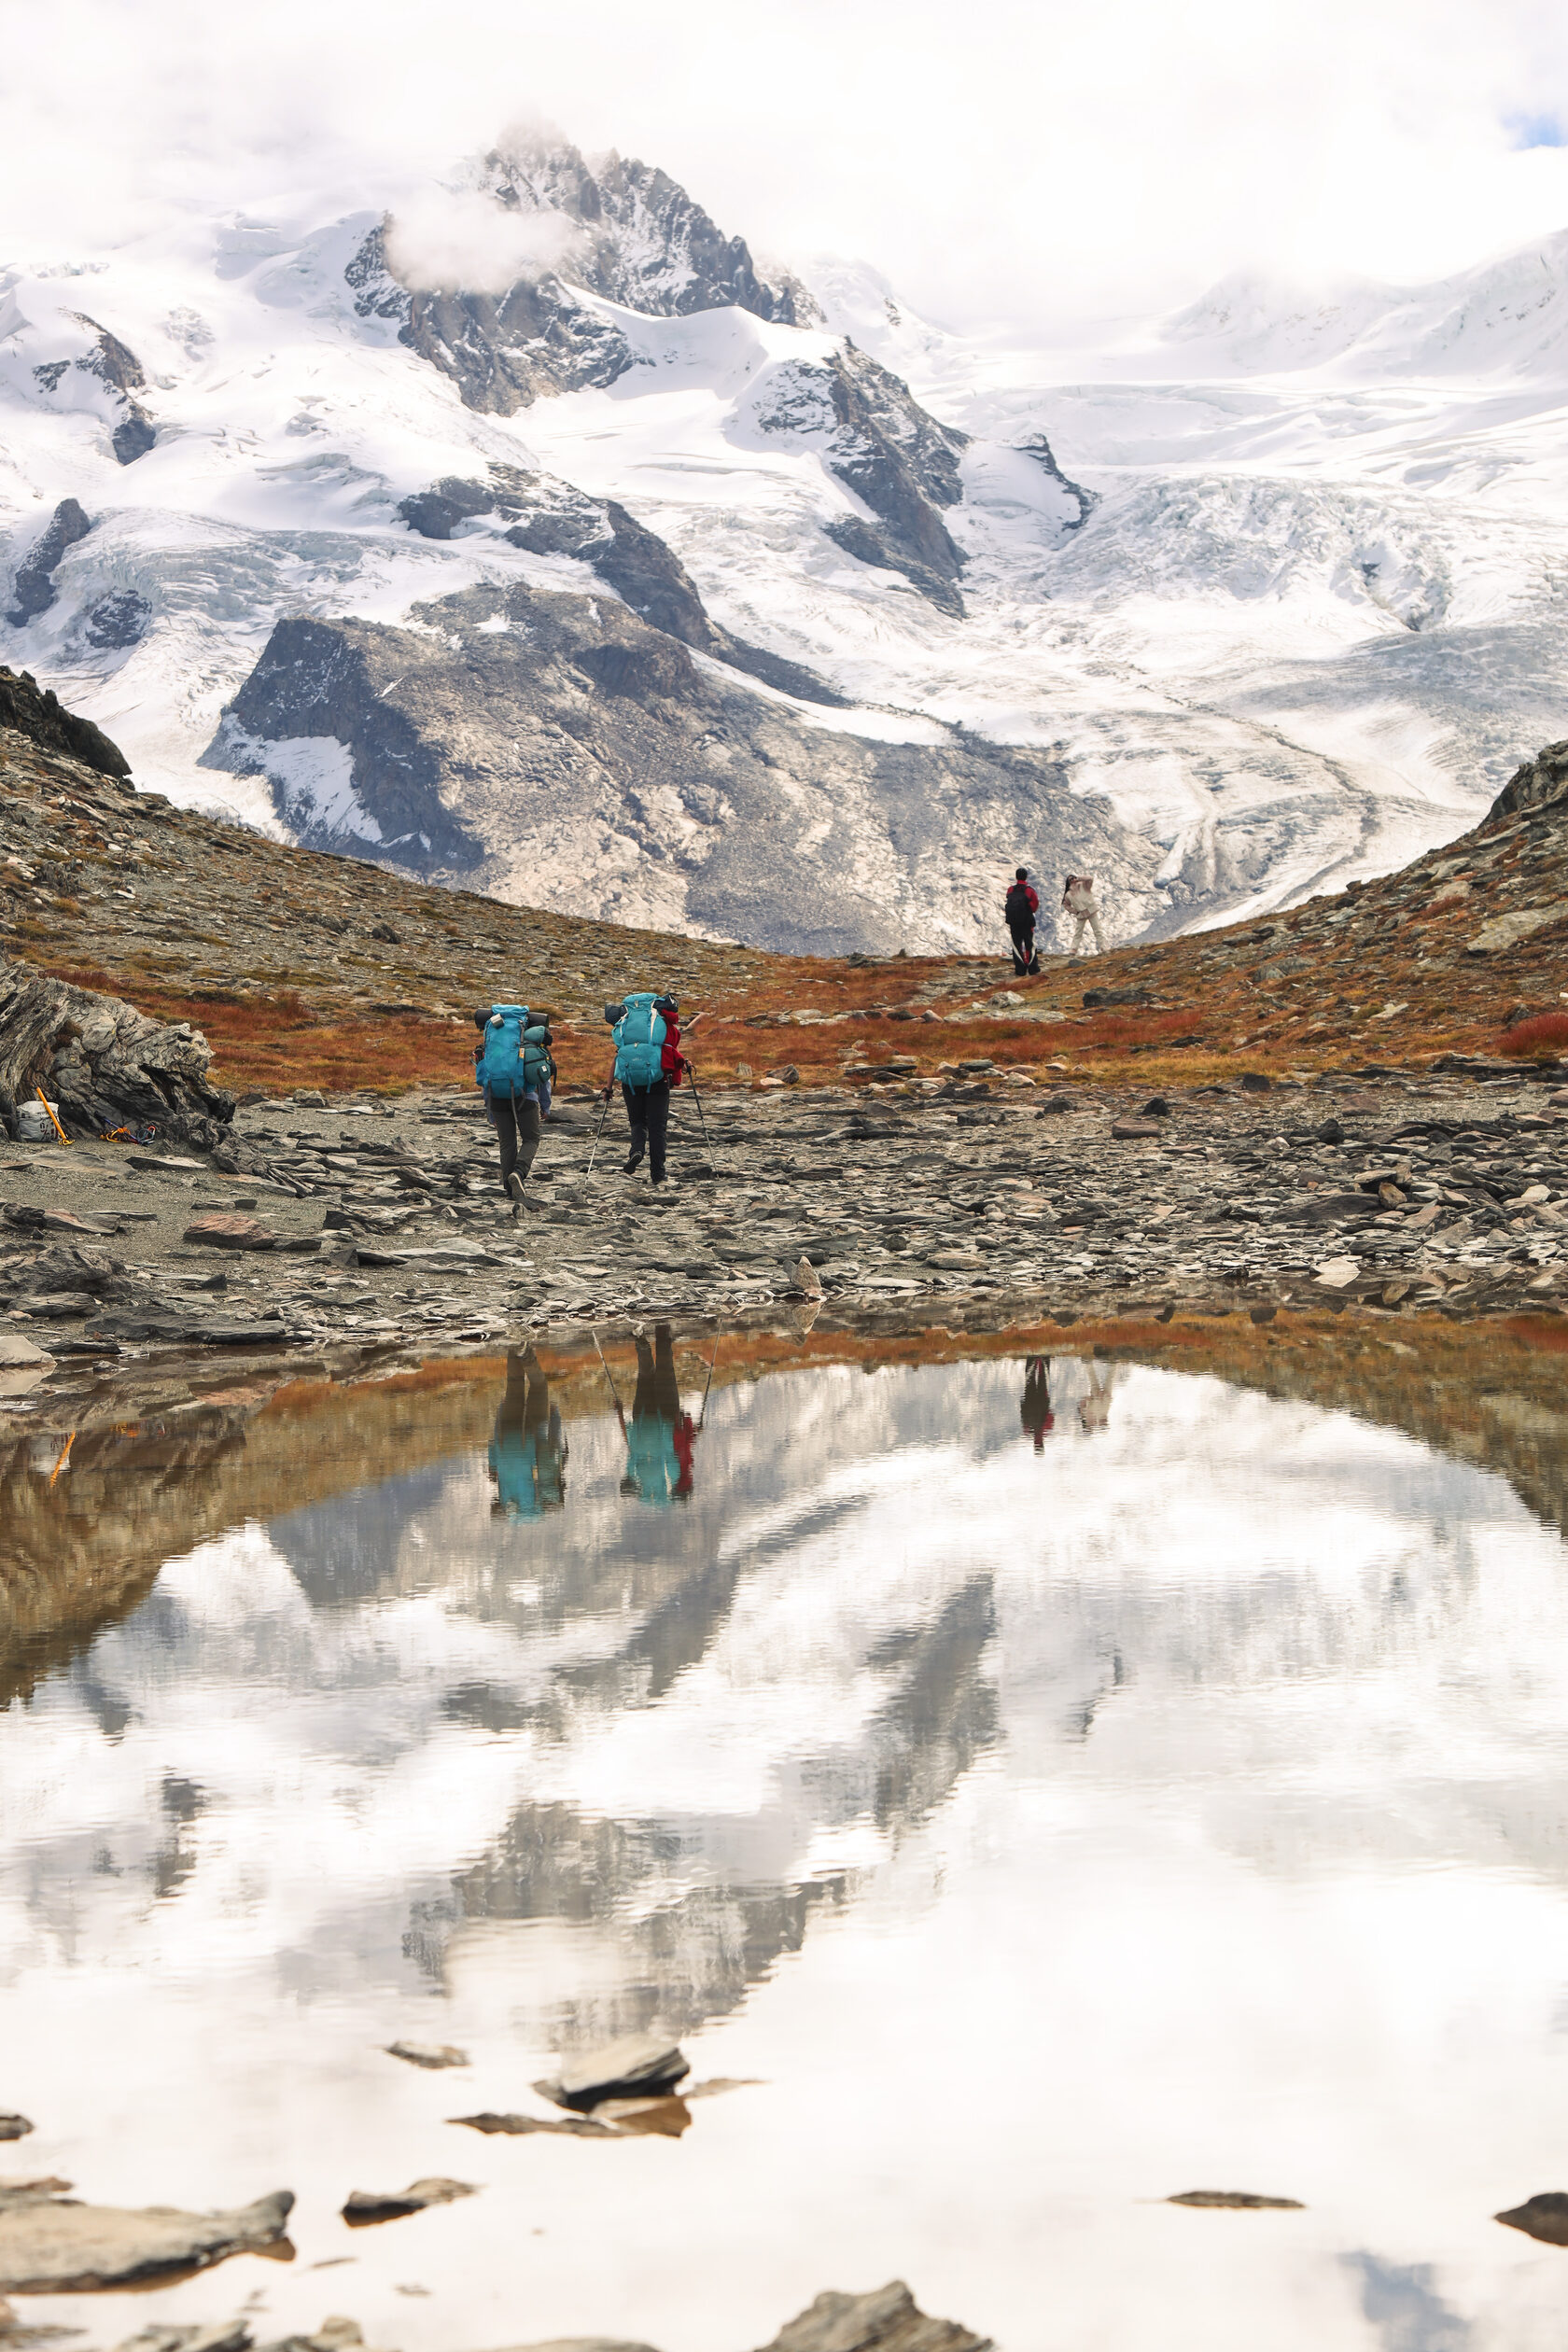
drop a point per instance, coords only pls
(883, 446)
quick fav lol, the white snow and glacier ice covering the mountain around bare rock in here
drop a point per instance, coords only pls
(1280, 584)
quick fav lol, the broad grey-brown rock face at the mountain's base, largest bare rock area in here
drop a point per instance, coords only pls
(556, 749)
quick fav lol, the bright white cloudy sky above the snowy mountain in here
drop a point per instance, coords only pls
(1010, 166)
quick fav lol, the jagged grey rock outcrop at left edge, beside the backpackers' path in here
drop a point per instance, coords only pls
(102, 1062)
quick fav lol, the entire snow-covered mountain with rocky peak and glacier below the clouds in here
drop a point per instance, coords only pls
(535, 535)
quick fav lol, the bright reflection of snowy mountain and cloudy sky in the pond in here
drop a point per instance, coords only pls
(1174, 1798)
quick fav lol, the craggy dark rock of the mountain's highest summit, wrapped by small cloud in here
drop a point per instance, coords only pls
(636, 239)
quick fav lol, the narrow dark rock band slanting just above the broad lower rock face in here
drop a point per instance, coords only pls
(554, 519)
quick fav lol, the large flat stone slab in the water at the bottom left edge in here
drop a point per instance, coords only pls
(58, 2247)
